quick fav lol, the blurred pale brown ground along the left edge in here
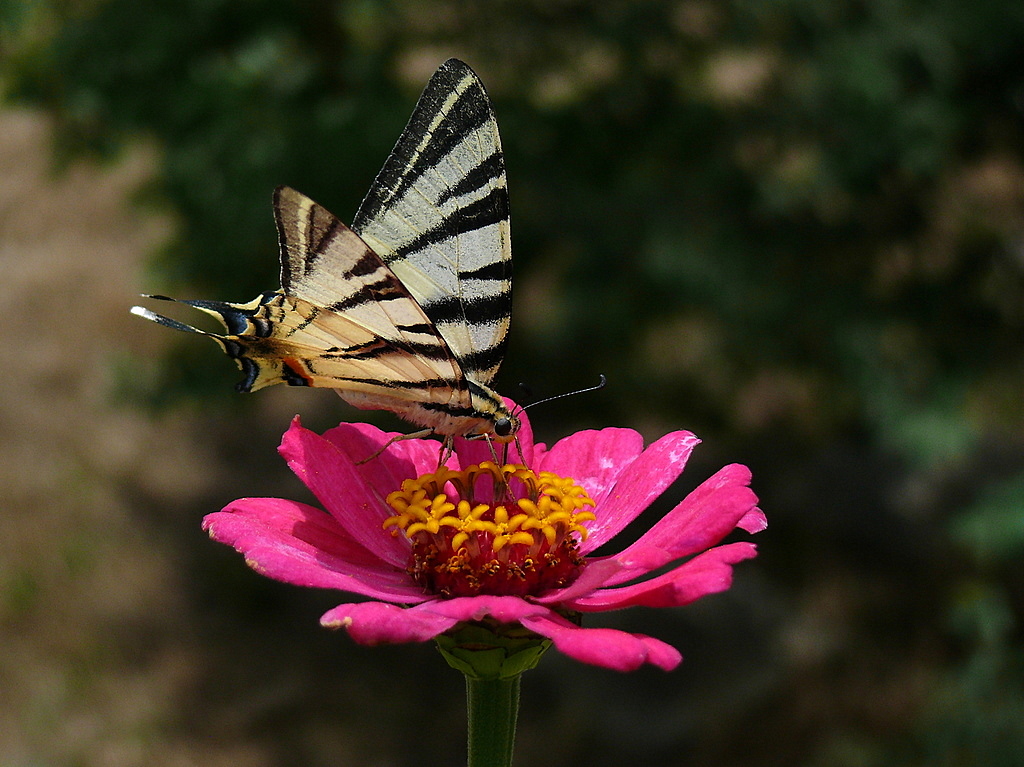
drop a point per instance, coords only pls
(97, 647)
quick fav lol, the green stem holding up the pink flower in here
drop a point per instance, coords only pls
(493, 706)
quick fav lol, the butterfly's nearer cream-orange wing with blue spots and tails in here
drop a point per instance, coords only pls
(344, 320)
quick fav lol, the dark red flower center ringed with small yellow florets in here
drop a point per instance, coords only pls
(492, 530)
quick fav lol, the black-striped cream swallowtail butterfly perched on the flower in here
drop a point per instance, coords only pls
(408, 311)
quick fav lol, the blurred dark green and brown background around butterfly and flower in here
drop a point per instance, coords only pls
(796, 229)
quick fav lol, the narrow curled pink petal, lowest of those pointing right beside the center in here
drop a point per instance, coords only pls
(707, 574)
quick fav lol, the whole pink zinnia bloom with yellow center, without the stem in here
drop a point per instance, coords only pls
(436, 548)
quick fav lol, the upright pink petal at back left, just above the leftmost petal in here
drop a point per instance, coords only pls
(339, 485)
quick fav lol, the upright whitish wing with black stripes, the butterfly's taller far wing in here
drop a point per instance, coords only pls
(438, 215)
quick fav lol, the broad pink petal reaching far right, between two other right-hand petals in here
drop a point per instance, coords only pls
(703, 519)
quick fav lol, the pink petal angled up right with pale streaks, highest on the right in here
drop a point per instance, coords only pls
(639, 483)
